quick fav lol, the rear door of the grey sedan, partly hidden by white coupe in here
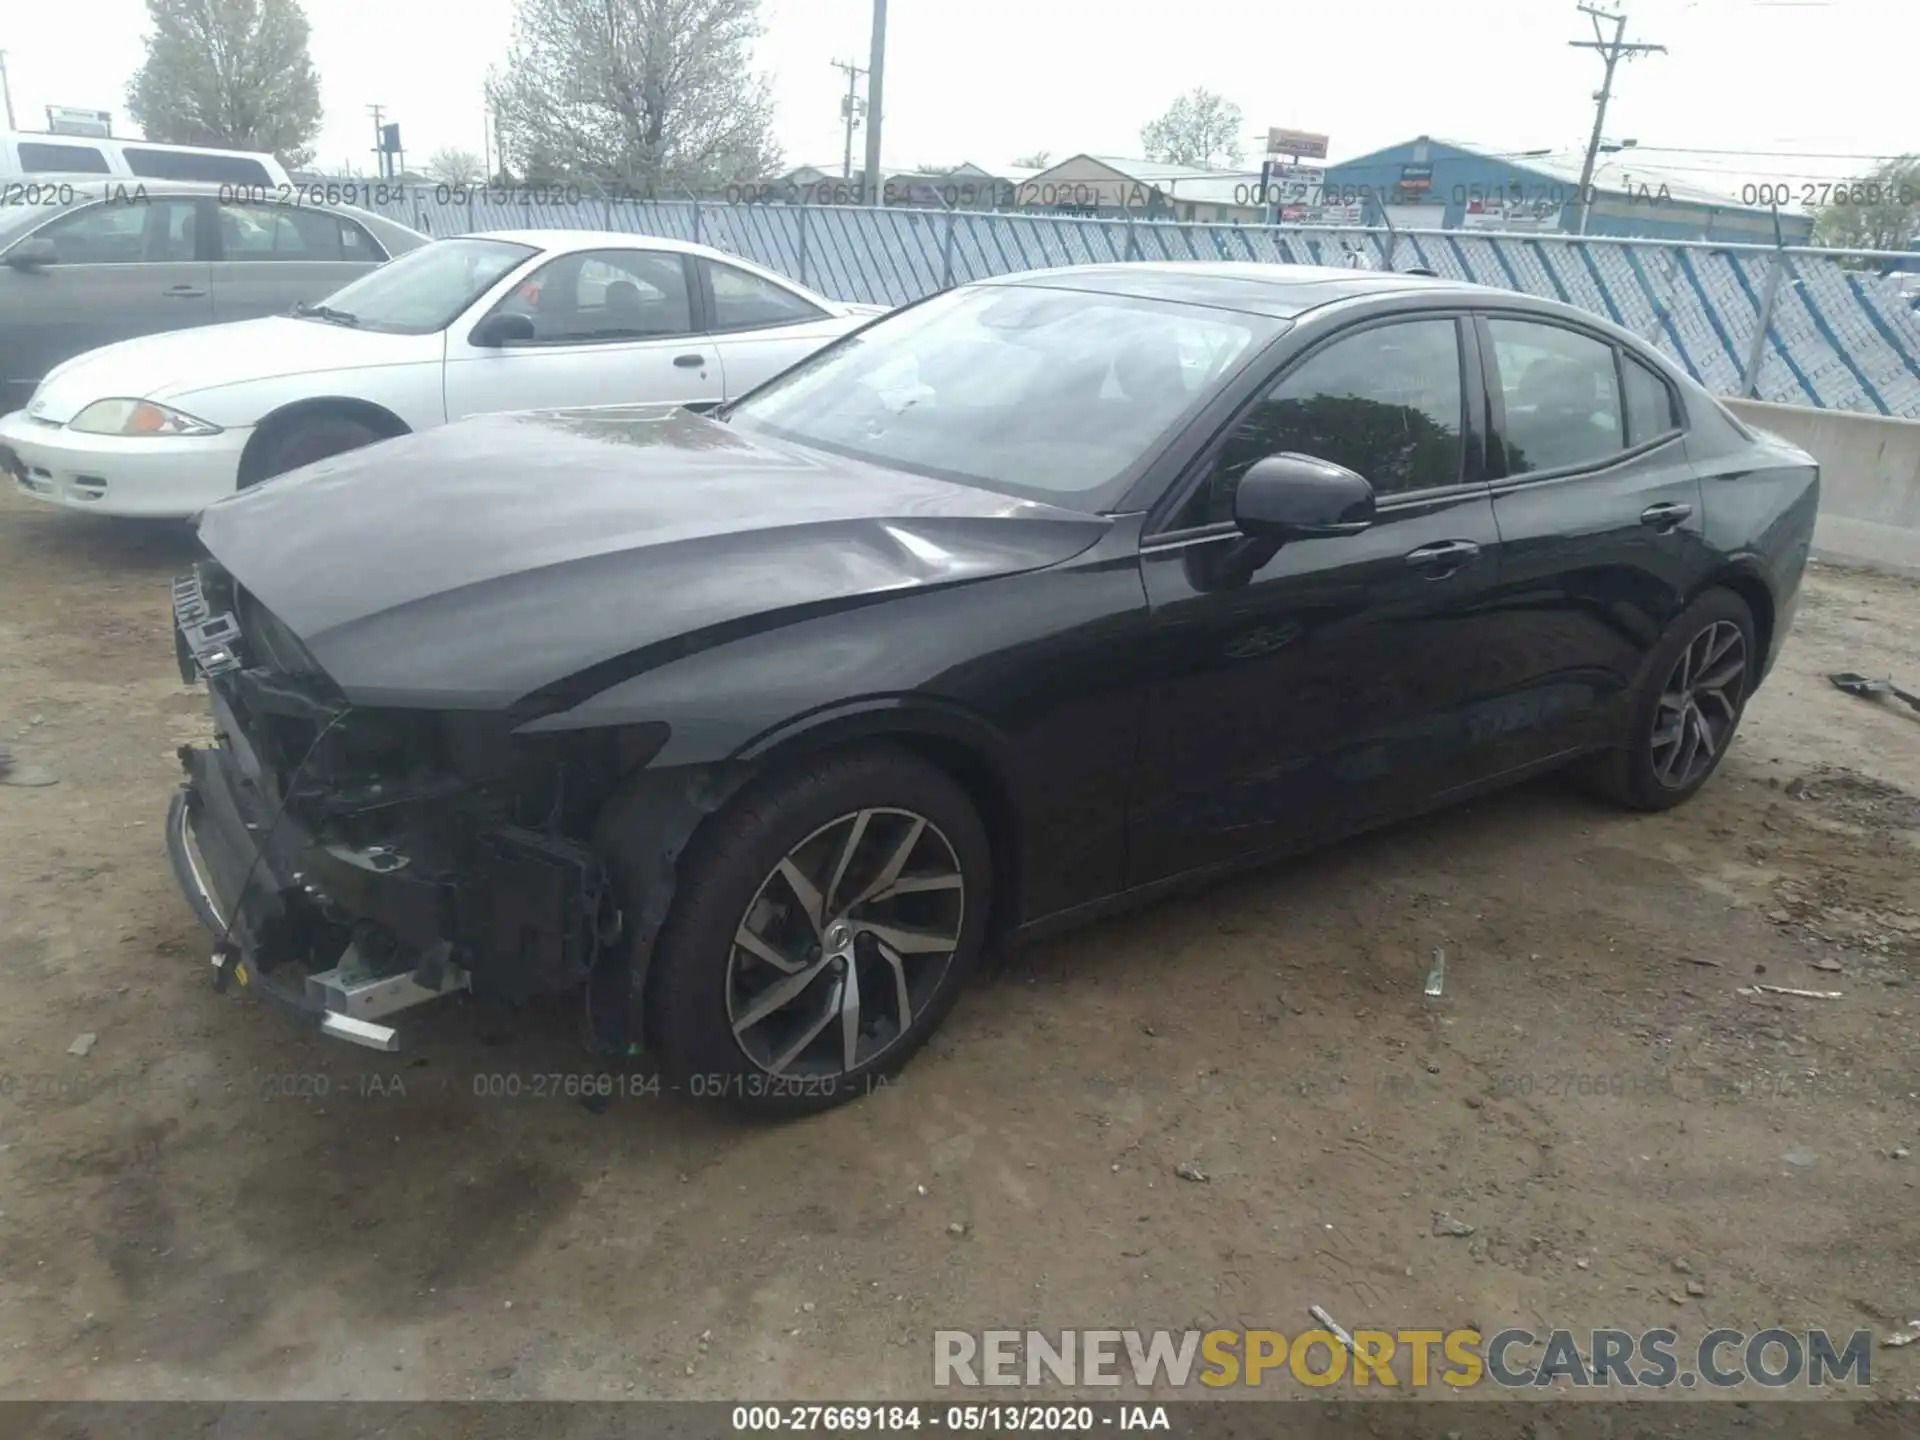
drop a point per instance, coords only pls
(272, 256)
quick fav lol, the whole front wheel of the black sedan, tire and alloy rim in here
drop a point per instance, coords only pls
(821, 932)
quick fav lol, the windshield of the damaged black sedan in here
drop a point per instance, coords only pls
(1047, 395)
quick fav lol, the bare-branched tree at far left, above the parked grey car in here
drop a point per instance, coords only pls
(229, 74)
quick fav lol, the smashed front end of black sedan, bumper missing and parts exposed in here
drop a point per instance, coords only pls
(358, 861)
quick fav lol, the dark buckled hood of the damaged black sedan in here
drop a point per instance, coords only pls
(471, 565)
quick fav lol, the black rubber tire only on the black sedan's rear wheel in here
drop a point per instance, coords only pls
(1631, 773)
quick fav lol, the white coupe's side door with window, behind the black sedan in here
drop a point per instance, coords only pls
(612, 327)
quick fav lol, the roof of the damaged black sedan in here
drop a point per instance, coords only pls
(1257, 289)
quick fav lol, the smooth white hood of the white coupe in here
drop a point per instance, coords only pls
(210, 356)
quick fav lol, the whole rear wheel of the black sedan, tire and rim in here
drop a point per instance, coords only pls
(1685, 711)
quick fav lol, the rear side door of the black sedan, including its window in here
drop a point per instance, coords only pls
(1600, 523)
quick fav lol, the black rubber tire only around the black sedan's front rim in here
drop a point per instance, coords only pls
(721, 882)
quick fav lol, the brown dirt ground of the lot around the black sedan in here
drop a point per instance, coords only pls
(187, 1214)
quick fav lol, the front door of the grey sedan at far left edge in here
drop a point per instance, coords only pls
(126, 266)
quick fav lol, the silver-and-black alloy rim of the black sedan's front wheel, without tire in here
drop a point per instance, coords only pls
(846, 944)
